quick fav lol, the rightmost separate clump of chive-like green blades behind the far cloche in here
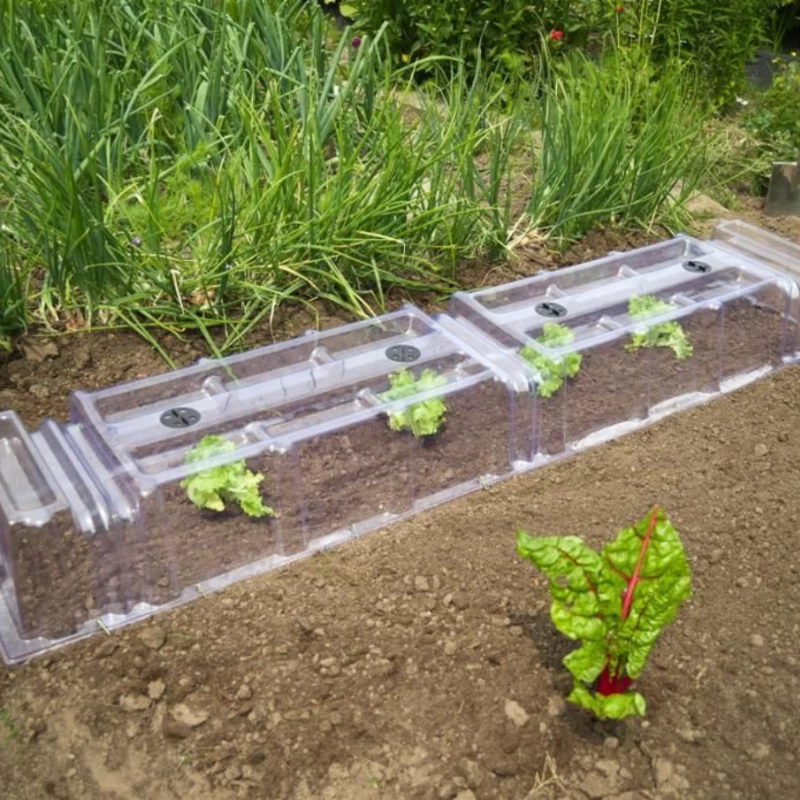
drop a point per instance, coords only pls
(616, 139)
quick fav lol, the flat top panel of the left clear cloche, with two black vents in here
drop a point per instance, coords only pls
(277, 395)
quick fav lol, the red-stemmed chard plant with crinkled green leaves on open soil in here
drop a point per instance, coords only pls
(616, 603)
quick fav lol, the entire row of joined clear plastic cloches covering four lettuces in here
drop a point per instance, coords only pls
(167, 487)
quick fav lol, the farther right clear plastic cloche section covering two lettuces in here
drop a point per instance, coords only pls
(614, 342)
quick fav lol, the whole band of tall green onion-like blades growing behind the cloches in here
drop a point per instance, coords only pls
(196, 165)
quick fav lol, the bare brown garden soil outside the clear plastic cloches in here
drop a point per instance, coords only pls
(420, 662)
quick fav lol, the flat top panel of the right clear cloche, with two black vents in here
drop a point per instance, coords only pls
(592, 300)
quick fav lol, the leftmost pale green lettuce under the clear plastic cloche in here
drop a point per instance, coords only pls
(212, 488)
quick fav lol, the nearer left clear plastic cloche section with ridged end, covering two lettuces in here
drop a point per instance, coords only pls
(315, 425)
